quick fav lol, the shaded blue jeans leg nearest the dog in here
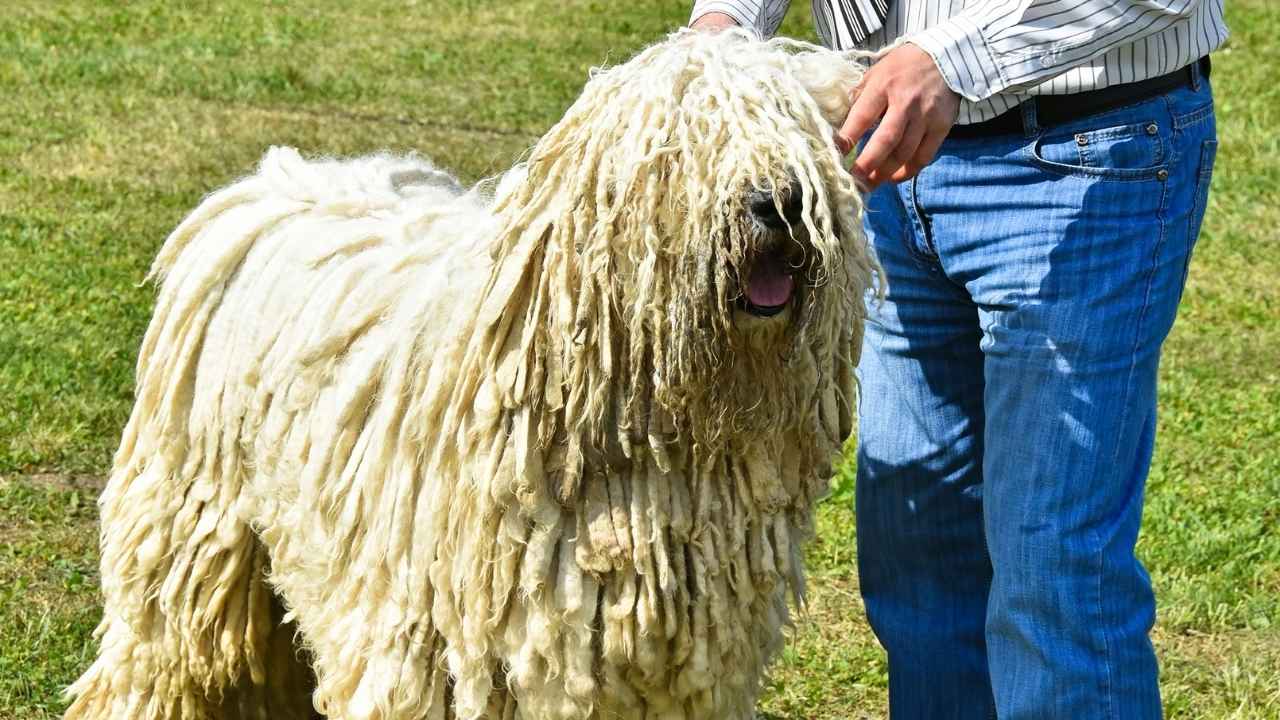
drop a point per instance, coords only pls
(921, 549)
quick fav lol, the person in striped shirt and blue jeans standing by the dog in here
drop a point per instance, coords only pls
(1039, 171)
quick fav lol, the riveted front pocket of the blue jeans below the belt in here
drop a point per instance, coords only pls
(1132, 152)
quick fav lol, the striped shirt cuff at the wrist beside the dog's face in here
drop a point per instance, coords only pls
(963, 57)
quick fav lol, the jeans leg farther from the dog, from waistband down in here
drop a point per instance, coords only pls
(1077, 276)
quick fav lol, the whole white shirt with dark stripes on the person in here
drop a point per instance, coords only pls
(998, 53)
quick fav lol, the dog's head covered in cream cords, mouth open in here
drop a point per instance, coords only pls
(697, 231)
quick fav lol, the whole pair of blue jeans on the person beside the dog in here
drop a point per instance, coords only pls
(1009, 409)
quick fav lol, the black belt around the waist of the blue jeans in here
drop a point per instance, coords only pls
(1057, 110)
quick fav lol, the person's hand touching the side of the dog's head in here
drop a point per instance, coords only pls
(906, 93)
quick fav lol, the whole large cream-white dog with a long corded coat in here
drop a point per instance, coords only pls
(545, 449)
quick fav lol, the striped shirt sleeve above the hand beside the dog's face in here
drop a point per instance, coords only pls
(1000, 45)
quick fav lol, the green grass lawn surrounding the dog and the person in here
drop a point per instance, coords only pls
(120, 117)
